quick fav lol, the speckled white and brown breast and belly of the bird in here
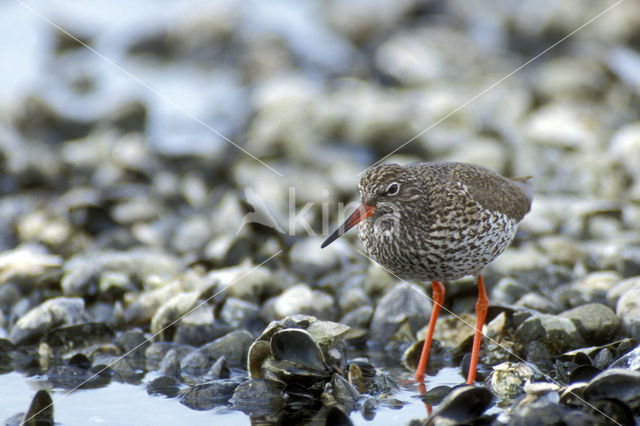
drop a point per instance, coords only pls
(449, 247)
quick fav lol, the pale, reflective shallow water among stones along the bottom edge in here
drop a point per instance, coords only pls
(120, 404)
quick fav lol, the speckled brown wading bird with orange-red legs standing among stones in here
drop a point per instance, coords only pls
(438, 222)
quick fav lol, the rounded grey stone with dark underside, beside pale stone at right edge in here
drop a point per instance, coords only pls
(597, 323)
